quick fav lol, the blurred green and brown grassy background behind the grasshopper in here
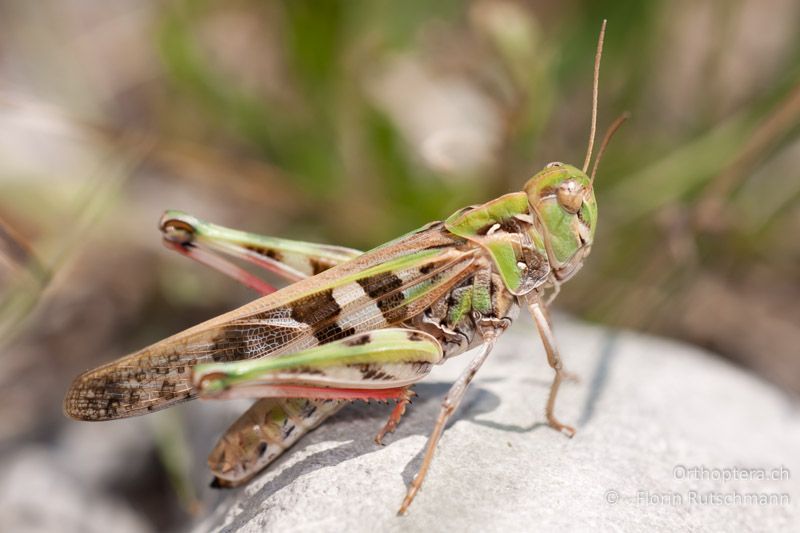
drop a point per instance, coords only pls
(352, 122)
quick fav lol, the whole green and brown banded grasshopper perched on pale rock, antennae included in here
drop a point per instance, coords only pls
(358, 326)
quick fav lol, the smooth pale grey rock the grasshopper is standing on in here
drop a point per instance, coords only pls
(660, 425)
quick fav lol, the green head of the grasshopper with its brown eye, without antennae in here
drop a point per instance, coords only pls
(562, 203)
